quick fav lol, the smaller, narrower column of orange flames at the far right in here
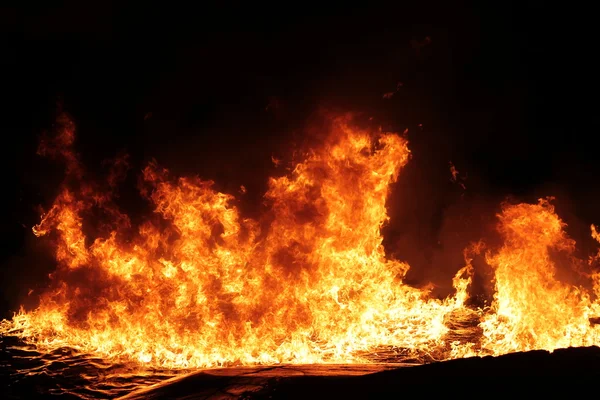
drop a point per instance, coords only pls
(532, 309)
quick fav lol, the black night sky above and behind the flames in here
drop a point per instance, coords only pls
(505, 91)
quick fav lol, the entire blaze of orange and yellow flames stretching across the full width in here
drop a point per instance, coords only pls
(197, 284)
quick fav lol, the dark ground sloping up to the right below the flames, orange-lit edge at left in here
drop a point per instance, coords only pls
(569, 372)
